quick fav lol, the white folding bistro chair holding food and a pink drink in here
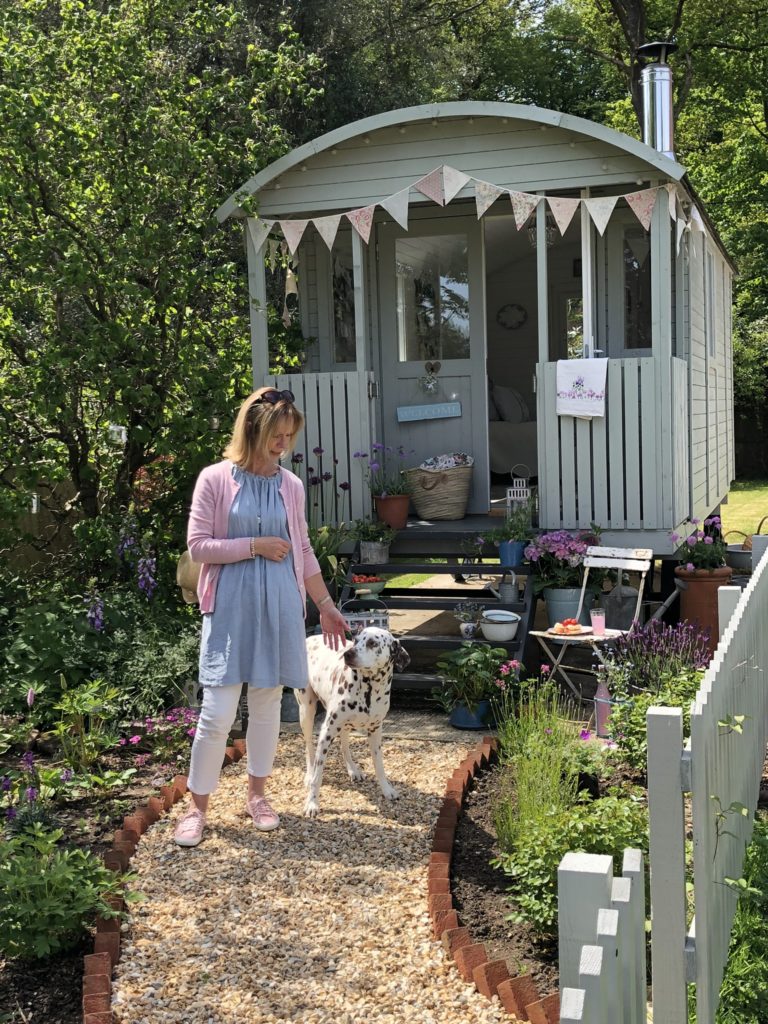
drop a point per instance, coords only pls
(633, 560)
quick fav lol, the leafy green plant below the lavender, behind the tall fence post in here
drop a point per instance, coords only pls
(628, 728)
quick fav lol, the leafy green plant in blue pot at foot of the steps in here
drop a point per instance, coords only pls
(470, 684)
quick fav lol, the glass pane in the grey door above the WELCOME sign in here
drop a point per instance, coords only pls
(433, 275)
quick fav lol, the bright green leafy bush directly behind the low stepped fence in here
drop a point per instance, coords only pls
(608, 826)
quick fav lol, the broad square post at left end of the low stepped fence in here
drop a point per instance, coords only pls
(584, 882)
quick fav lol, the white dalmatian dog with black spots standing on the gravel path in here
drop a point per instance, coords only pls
(354, 685)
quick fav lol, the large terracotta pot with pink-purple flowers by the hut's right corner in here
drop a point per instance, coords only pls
(702, 572)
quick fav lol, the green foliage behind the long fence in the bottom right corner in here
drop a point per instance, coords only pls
(744, 994)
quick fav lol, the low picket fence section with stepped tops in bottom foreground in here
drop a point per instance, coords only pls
(603, 940)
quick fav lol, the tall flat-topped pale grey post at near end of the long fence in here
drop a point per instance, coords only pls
(667, 854)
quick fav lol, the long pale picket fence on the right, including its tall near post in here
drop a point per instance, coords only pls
(720, 766)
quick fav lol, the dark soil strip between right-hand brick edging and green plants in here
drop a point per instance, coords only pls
(481, 891)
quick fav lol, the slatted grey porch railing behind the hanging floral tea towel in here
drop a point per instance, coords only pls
(607, 471)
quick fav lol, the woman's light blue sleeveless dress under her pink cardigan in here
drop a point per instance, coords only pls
(255, 633)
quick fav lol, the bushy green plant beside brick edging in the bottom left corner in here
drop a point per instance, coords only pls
(49, 893)
